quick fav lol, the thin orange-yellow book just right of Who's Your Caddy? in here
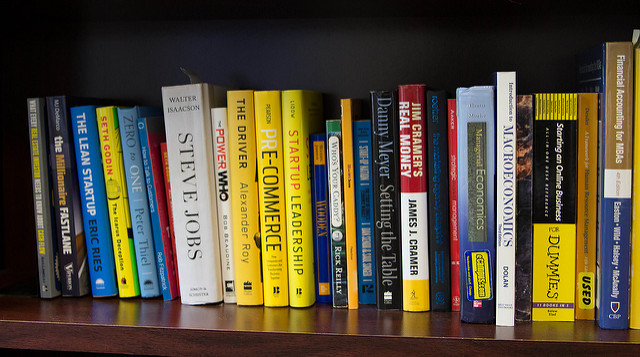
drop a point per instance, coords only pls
(350, 112)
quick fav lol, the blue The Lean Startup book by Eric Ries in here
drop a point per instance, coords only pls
(93, 196)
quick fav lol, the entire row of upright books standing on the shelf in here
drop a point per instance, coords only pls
(487, 202)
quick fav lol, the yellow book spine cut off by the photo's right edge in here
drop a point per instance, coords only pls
(634, 287)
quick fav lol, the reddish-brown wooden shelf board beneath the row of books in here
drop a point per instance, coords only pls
(169, 328)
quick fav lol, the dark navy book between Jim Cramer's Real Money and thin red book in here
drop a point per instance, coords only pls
(438, 194)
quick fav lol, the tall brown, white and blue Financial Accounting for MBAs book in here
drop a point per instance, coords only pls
(607, 69)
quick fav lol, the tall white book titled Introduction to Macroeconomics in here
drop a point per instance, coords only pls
(505, 83)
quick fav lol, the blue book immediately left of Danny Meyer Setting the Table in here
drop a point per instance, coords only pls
(364, 211)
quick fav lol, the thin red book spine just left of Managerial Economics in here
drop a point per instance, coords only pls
(452, 132)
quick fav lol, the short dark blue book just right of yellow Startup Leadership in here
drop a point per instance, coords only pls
(320, 196)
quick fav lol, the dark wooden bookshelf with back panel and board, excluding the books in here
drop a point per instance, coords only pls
(128, 49)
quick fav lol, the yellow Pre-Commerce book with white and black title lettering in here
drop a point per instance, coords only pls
(271, 195)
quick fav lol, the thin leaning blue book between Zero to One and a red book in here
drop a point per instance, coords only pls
(156, 224)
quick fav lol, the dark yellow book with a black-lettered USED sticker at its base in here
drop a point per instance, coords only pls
(587, 205)
